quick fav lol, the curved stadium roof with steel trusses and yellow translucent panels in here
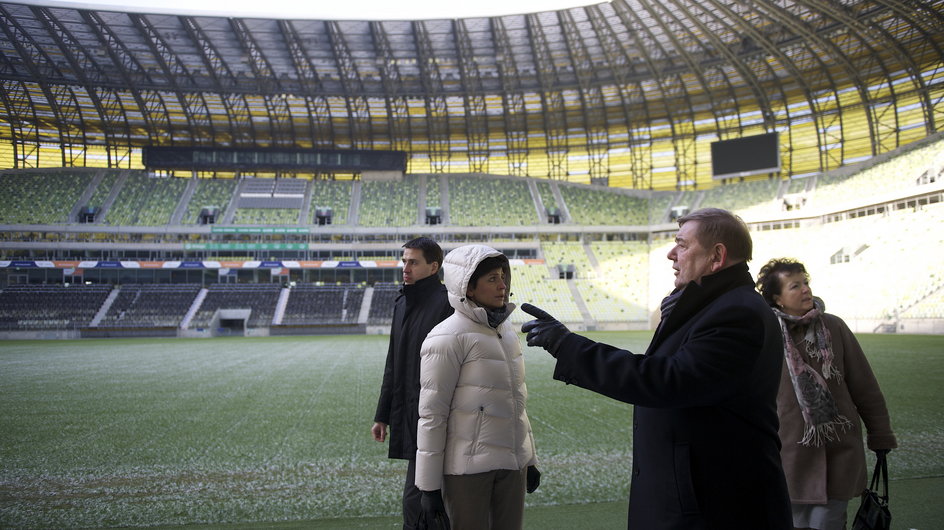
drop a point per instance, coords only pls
(628, 92)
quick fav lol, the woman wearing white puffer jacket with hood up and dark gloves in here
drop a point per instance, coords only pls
(475, 456)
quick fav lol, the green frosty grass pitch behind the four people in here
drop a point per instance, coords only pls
(236, 433)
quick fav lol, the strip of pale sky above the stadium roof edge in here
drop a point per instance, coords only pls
(326, 9)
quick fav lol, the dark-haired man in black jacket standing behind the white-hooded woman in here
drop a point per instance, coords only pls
(421, 305)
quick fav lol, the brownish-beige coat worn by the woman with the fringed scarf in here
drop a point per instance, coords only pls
(836, 470)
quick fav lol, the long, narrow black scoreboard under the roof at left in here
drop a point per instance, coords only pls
(303, 160)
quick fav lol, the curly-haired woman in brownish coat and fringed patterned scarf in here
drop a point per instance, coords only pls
(827, 391)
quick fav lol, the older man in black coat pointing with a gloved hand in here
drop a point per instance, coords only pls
(706, 453)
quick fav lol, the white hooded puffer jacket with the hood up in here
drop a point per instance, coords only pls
(472, 389)
